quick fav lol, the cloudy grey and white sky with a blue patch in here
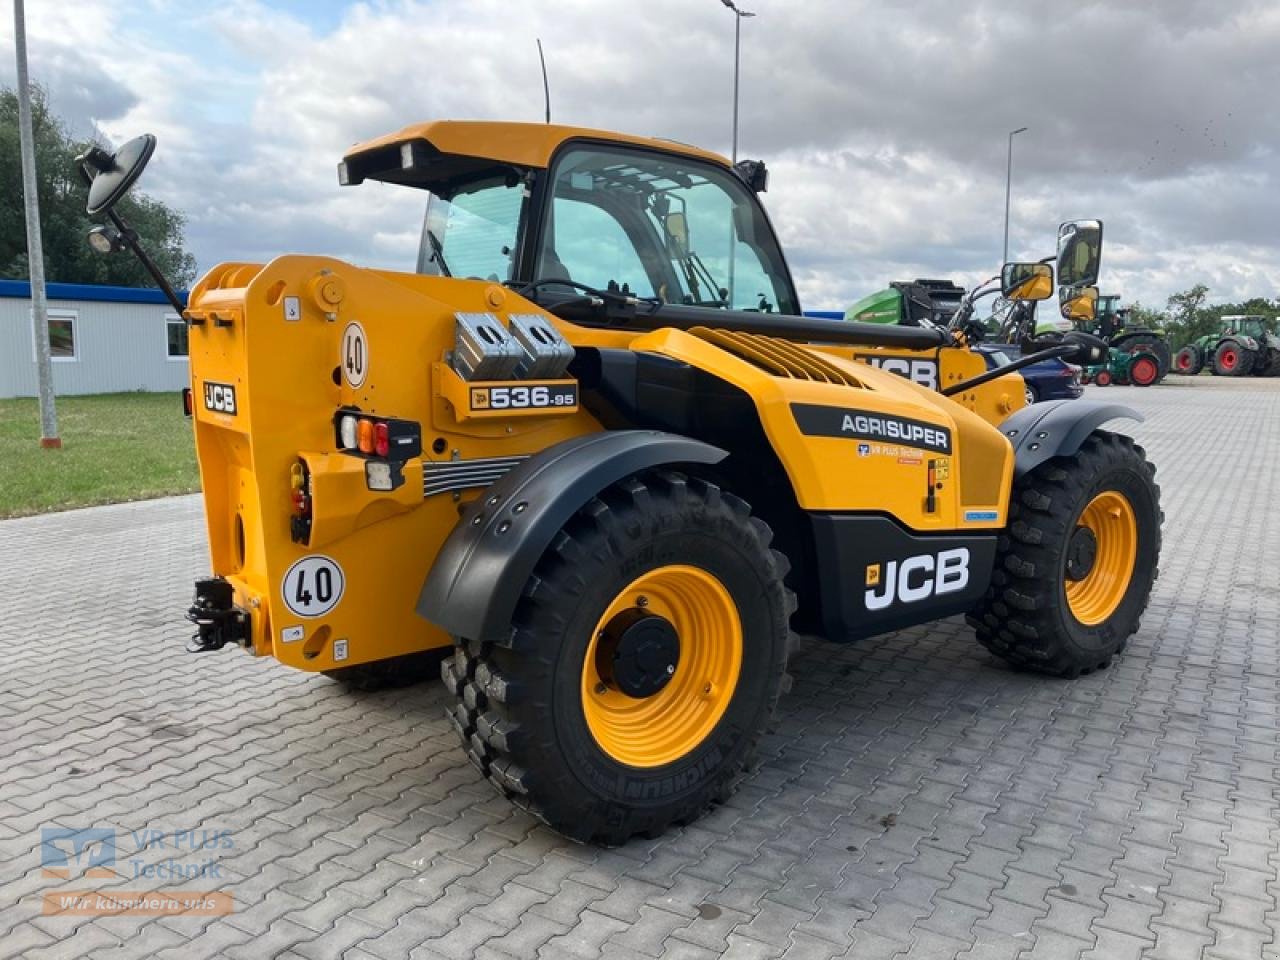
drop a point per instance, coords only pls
(885, 125)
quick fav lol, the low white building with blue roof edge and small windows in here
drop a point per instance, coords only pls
(104, 340)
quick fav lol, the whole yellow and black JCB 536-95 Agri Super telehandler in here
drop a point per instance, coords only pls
(592, 445)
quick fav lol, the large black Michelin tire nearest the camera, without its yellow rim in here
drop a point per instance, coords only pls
(520, 711)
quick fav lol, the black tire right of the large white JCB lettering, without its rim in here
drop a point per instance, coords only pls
(1026, 616)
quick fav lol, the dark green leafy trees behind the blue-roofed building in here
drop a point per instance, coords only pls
(68, 258)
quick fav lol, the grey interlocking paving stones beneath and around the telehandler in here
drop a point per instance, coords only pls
(916, 798)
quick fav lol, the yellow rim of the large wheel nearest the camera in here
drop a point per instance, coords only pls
(655, 730)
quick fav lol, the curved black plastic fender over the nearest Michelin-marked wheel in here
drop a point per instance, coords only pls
(477, 579)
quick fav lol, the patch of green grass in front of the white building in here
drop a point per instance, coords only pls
(116, 447)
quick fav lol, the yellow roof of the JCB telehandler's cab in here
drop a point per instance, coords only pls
(438, 152)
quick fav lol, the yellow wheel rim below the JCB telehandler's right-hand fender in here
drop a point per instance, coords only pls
(1095, 597)
